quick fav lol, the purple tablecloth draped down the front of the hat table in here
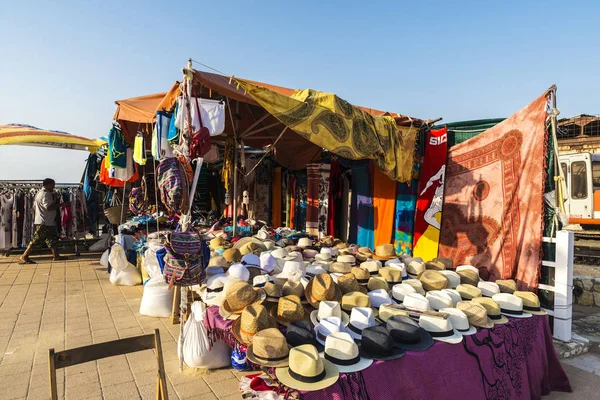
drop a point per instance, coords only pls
(511, 361)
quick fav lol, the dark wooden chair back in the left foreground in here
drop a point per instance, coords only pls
(98, 351)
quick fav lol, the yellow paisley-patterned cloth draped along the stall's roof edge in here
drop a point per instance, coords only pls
(336, 125)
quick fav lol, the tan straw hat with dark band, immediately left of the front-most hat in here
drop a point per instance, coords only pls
(269, 348)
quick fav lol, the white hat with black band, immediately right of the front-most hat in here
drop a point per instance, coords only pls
(343, 352)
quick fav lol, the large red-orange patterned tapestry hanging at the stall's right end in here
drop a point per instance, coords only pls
(493, 199)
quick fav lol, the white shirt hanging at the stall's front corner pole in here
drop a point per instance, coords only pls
(211, 111)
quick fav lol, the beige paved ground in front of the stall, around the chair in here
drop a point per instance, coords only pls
(71, 303)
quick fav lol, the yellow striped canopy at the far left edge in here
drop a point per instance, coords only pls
(26, 135)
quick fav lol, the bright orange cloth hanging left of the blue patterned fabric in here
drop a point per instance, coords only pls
(384, 203)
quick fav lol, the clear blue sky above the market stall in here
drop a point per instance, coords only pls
(64, 63)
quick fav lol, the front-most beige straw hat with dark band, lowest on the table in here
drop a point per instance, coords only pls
(307, 370)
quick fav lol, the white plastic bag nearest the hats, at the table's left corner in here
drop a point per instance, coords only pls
(196, 353)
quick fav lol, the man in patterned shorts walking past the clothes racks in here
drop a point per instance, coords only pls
(46, 205)
